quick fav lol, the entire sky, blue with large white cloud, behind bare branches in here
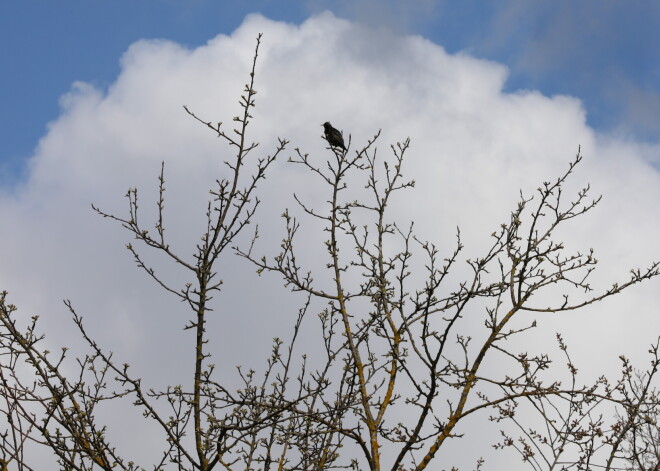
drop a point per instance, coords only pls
(496, 98)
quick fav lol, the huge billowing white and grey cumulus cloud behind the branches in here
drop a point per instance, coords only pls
(473, 148)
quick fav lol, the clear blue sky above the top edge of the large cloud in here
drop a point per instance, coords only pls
(603, 52)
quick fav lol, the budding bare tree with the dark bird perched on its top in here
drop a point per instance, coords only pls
(402, 344)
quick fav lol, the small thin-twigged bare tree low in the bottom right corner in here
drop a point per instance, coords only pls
(588, 425)
